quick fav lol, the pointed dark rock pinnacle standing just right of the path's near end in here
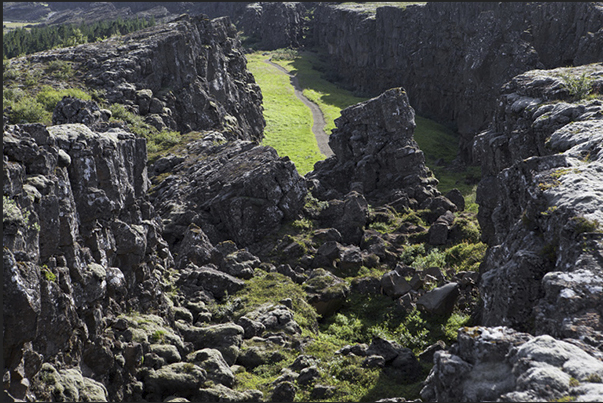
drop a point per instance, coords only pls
(376, 155)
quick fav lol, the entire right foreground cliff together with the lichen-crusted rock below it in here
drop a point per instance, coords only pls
(541, 213)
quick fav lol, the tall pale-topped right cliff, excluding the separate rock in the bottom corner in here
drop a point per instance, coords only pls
(540, 206)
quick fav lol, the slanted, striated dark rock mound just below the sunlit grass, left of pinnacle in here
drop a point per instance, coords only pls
(235, 191)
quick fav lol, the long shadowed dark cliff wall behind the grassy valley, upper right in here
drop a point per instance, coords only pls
(453, 57)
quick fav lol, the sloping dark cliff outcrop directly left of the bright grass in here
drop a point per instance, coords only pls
(185, 75)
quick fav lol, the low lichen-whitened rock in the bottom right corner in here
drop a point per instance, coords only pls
(501, 364)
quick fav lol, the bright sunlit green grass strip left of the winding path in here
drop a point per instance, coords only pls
(288, 120)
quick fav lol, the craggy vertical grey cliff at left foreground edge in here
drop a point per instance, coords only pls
(81, 245)
